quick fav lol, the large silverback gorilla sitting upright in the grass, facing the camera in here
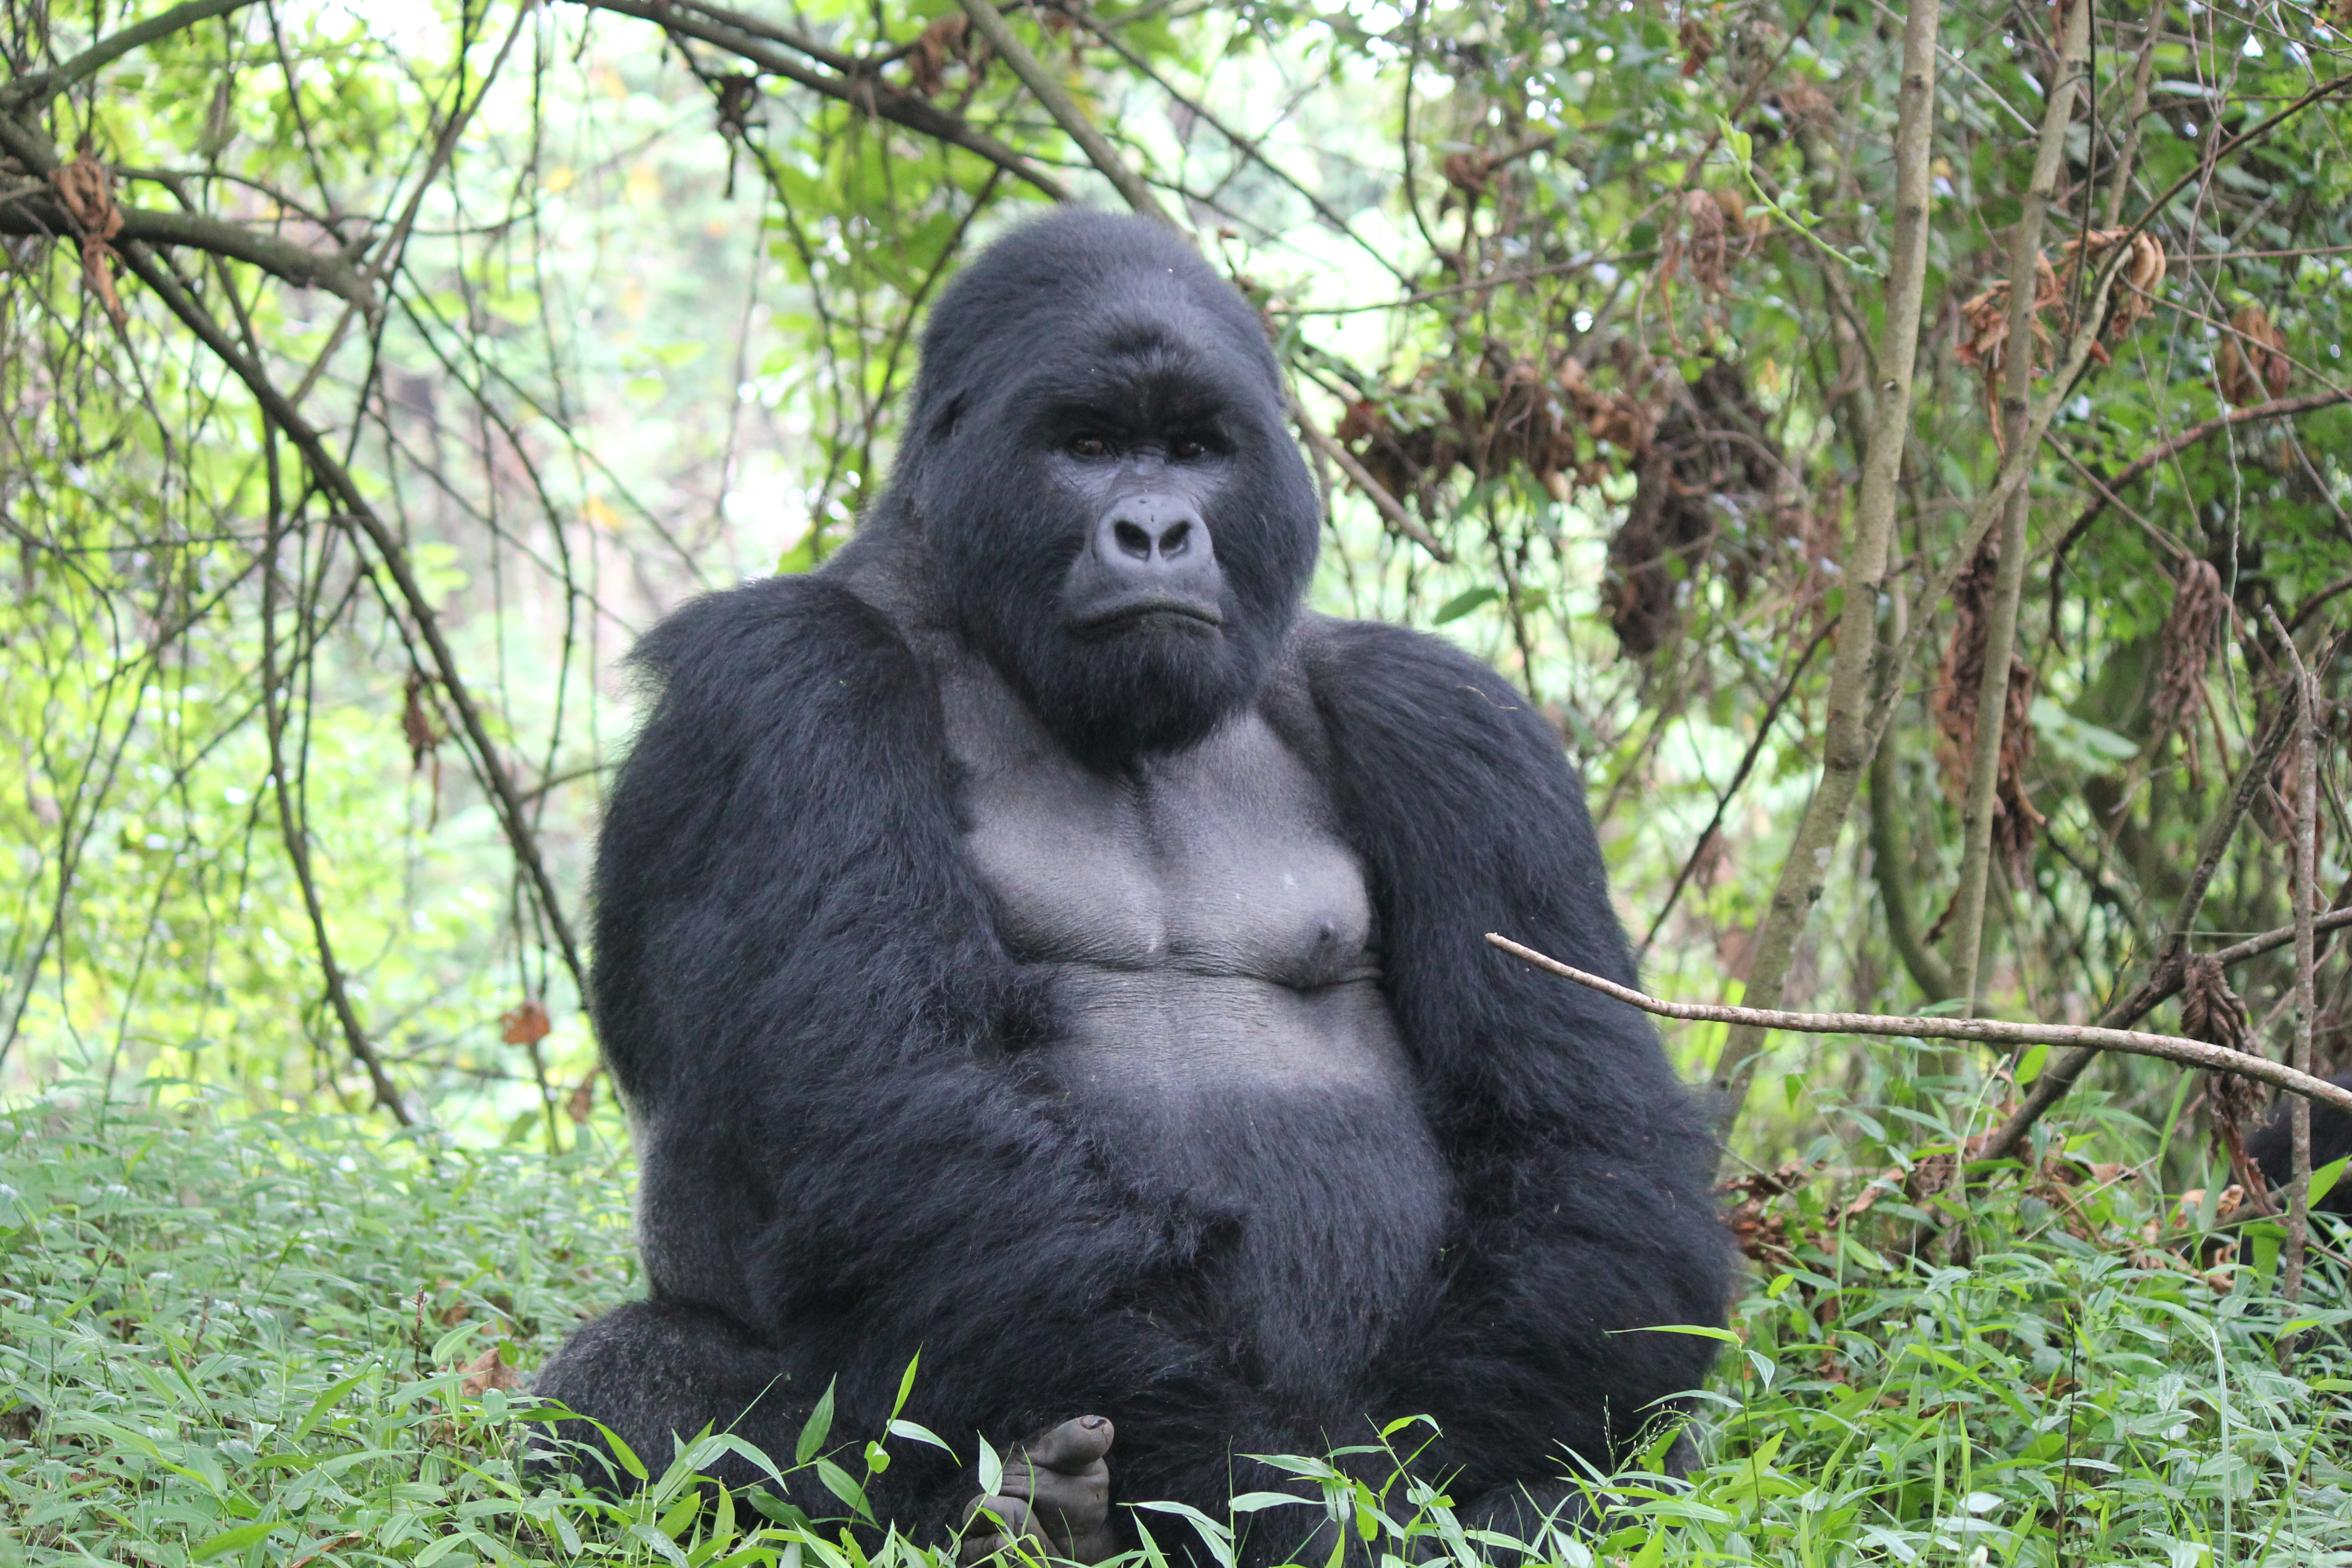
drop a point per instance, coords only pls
(1038, 942)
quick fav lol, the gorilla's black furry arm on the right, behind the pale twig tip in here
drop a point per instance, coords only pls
(1584, 1167)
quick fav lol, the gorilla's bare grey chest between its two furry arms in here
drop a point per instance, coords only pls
(1203, 923)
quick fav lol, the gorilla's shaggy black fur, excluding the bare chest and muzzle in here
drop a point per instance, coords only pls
(848, 1153)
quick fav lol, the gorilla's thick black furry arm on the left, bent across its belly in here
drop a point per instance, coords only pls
(815, 1031)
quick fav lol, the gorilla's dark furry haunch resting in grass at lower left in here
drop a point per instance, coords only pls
(664, 1369)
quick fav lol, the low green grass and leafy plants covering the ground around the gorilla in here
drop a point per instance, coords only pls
(213, 1351)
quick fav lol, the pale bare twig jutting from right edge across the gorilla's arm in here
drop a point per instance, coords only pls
(1996, 1031)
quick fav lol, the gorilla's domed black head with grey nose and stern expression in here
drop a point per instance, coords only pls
(1102, 467)
